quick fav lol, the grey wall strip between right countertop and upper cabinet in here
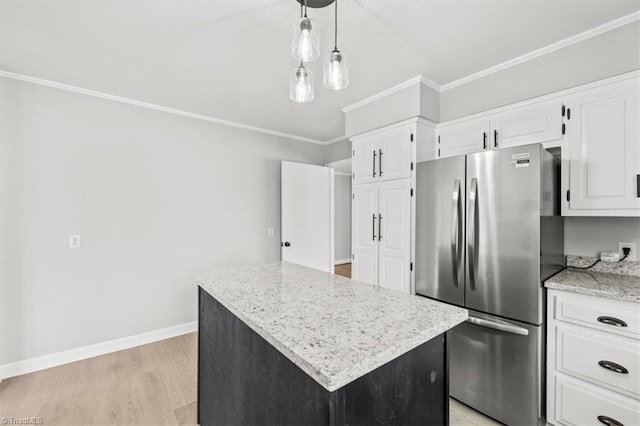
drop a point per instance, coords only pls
(588, 236)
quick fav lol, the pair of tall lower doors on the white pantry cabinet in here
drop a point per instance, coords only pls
(381, 234)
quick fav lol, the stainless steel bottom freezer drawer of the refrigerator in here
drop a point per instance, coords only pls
(496, 368)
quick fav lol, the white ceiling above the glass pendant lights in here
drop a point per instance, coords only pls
(231, 59)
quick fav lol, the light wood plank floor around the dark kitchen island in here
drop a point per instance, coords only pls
(153, 384)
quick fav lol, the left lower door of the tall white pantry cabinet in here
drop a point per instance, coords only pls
(364, 231)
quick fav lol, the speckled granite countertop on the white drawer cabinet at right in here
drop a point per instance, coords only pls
(602, 284)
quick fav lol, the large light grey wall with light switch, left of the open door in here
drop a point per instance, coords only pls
(154, 197)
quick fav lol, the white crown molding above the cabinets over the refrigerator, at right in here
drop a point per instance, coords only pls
(606, 27)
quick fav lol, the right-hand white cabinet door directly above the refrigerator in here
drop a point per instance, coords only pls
(533, 124)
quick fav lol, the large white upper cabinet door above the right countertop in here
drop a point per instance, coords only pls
(604, 158)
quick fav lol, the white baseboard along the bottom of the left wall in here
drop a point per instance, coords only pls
(19, 368)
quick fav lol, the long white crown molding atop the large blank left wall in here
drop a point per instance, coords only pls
(147, 105)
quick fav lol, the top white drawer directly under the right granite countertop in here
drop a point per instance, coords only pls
(613, 316)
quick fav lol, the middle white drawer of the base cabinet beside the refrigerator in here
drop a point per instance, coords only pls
(595, 356)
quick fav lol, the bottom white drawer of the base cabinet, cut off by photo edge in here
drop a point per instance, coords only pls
(578, 403)
